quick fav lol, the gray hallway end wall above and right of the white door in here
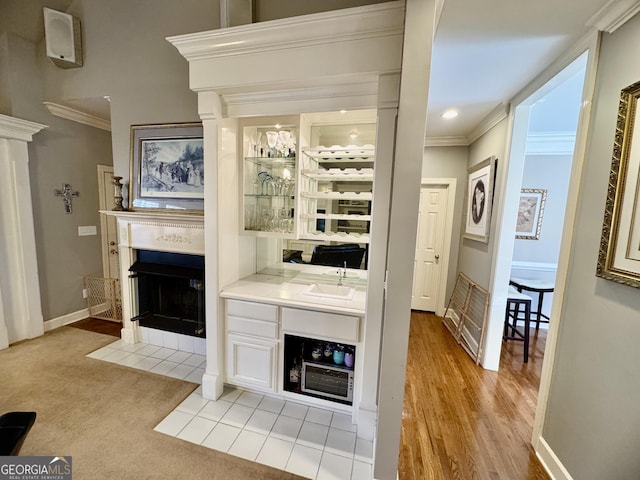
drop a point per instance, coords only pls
(449, 162)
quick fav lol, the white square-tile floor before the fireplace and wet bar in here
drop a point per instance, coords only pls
(308, 441)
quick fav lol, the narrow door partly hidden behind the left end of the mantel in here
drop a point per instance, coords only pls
(108, 227)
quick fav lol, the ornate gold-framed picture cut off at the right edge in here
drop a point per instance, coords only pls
(619, 255)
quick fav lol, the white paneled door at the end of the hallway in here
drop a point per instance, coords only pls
(429, 248)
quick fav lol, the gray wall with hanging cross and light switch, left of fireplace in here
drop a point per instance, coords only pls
(65, 152)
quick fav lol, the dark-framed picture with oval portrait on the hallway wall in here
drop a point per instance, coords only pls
(478, 202)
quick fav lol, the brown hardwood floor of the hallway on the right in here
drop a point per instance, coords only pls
(461, 421)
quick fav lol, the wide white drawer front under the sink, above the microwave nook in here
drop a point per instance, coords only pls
(330, 325)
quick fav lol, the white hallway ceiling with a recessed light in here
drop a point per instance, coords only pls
(486, 51)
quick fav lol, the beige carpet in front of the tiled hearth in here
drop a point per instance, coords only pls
(103, 414)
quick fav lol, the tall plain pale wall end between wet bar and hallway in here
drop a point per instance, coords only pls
(403, 220)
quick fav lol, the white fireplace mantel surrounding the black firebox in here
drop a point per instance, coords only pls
(159, 231)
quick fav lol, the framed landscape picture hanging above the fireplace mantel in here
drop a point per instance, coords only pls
(167, 167)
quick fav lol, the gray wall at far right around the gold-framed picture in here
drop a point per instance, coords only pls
(593, 419)
